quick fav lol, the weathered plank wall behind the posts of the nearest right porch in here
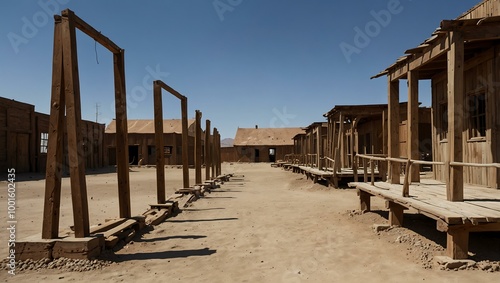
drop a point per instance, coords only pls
(481, 74)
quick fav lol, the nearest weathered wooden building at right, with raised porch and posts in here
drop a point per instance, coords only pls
(461, 60)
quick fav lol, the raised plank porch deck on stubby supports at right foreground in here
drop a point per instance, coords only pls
(479, 212)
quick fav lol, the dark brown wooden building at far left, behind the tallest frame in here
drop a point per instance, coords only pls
(24, 137)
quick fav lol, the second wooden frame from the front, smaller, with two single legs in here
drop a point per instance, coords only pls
(160, 161)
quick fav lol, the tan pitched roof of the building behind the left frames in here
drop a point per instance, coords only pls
(173, 126)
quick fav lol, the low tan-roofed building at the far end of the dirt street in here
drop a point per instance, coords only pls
(264, 144)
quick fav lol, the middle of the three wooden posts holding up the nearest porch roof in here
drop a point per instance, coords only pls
(412, 141)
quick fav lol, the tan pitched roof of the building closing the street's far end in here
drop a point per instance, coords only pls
(265, 136)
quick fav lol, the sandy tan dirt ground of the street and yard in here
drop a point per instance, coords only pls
(269, 226)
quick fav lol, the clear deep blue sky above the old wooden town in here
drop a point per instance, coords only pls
(272, 63)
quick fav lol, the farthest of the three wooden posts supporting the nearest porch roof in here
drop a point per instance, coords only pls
(393, 129)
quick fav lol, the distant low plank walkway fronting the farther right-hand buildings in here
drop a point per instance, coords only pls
(329, 175)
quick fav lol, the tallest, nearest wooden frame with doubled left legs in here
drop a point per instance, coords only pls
(66, 99)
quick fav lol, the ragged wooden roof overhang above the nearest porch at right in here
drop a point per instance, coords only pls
(430, 57)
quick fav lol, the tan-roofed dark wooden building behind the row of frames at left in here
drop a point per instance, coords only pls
(141, 141)
